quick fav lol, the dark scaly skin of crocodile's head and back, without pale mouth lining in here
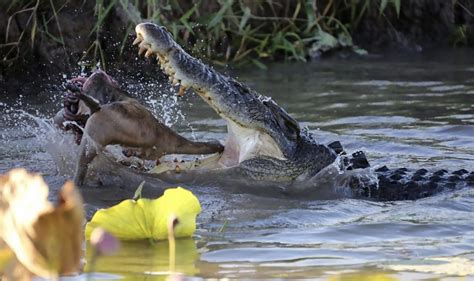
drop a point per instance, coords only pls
(301, 157)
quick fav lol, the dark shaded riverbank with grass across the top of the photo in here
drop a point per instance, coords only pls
(62, 34)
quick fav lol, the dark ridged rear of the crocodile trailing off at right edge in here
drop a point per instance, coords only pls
(404, 184)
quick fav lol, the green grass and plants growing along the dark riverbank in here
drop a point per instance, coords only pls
(225, 31)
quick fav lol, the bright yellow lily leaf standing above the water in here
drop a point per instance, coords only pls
(147, 218)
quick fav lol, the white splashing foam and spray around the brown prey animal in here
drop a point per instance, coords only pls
(30, 121)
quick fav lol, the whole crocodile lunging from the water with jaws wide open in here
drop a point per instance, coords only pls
(267, 147)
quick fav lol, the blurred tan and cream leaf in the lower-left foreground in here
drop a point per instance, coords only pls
(46, 239)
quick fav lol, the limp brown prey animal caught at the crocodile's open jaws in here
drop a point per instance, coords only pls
(115, 118)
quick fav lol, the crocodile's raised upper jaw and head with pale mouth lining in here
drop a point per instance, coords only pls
(257, 126)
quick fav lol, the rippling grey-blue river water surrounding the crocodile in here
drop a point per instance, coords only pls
(404, 112)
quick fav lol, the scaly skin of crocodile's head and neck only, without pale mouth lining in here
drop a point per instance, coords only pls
(237, 103)
